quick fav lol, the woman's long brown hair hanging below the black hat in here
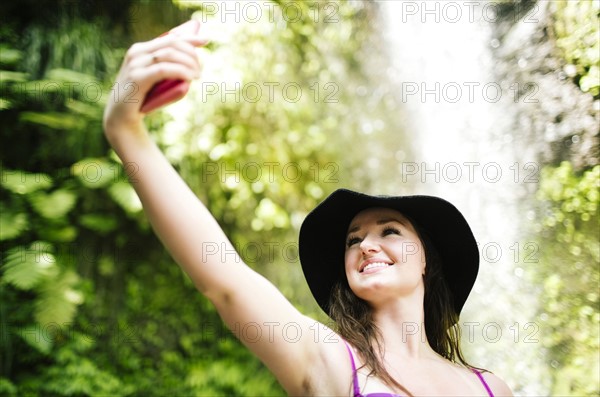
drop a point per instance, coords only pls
(354, 318)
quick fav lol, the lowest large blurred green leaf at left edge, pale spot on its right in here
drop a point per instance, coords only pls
(25, 267)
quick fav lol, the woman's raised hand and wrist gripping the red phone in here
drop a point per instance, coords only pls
(167, 57)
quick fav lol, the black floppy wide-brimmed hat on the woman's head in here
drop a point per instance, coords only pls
(323, 237)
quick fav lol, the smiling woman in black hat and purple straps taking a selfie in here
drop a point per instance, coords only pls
(393, 272)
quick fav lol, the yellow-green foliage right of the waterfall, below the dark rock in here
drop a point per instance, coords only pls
(569, 275)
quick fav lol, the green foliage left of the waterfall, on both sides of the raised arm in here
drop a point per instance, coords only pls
(90, 303)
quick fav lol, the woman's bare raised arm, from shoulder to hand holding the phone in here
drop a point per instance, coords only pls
(289, 343)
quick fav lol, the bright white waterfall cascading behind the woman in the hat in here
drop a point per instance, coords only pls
(460, 120)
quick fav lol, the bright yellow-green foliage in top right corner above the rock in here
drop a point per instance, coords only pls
(577, 30)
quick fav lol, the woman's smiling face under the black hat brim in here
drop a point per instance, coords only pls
(384, 256)
